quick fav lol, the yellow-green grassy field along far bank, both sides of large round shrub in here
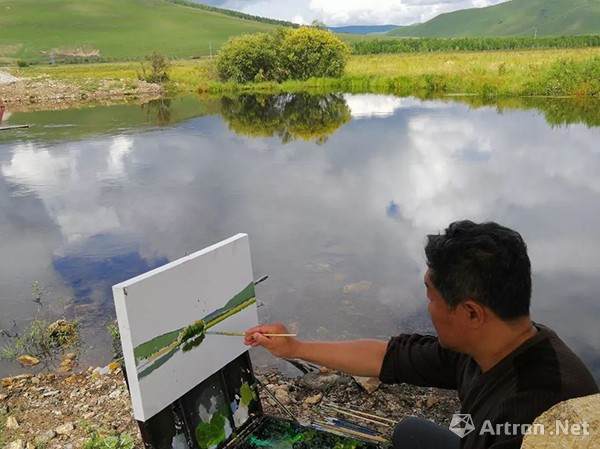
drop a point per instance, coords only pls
(574, 72)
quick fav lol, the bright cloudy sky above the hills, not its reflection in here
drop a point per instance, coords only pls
(350, 12)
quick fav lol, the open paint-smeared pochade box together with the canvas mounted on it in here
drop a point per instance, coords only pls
(191, 382)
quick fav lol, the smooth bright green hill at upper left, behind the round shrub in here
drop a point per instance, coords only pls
(117, 29)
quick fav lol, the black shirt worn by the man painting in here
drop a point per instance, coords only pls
(539, 374)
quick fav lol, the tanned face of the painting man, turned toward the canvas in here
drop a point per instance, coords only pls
(444, 320)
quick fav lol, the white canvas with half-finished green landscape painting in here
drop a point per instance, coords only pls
(166, 317)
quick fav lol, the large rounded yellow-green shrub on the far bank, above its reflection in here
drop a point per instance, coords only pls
(300, 53)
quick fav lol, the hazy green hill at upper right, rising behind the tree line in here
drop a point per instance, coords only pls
(513, 18)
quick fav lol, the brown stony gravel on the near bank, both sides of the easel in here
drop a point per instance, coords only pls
(89, 401)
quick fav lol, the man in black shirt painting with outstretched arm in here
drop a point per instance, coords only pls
(507, 369)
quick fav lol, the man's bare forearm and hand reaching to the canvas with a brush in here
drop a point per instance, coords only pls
(357, 357)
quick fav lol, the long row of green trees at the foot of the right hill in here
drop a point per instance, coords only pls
(426, 44)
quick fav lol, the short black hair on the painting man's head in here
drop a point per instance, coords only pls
(486, 263)
